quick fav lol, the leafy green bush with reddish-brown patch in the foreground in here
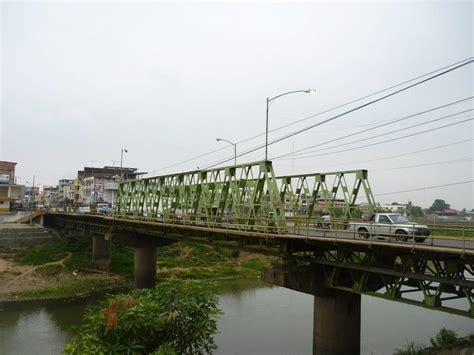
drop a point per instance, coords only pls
(178, 317)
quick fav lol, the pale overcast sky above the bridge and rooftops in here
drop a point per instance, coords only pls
(81, 81)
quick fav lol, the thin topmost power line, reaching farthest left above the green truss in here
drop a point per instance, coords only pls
(467, 60)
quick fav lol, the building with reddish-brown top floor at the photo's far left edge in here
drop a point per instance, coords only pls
(10, 192)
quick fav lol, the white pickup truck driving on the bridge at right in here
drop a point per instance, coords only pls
(391, 225)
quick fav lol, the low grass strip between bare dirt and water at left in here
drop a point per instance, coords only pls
(70, 288)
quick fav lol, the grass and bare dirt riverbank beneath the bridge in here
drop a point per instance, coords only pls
(61, 268)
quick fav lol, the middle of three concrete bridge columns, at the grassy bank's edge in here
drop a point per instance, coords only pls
(144, 273)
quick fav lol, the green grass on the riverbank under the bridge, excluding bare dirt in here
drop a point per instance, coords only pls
(184, 261)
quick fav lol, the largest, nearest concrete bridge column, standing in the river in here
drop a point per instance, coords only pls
(336, 324)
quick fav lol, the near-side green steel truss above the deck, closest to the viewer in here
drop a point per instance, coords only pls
(245, 196)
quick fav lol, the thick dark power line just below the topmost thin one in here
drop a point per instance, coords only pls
(345, 113)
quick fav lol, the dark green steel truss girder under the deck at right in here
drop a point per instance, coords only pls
(437, 281)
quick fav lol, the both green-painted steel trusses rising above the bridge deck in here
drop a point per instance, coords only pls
(246, 196)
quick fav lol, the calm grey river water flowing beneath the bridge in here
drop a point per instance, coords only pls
(258, 319)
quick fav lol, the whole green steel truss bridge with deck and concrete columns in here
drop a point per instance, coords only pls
(248, 207)
